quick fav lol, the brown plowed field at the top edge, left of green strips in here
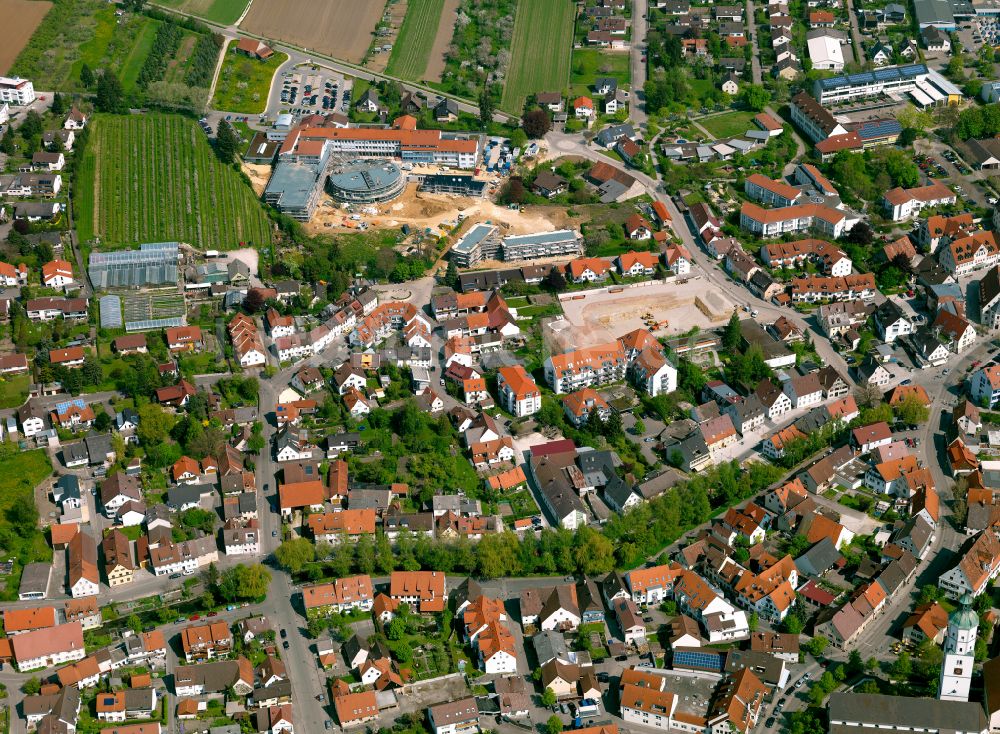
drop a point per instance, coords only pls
(339, 28)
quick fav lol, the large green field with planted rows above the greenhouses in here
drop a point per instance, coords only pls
(155, 178)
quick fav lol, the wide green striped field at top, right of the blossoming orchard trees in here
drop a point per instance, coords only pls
(540, 50)
